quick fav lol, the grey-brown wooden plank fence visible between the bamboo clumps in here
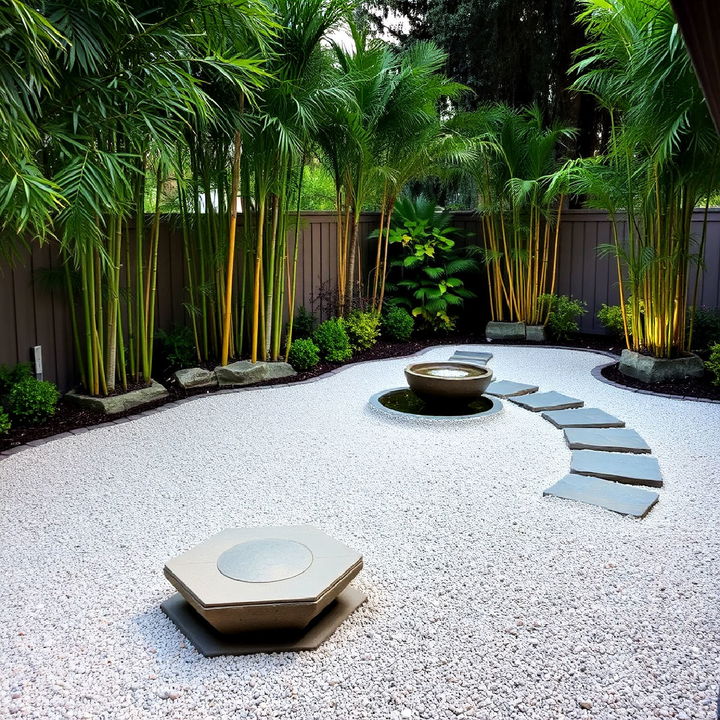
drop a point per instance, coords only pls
(33, 312)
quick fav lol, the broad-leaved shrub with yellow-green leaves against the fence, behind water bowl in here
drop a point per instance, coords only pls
(428, 264)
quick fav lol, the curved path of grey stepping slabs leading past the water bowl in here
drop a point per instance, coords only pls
(608, 461)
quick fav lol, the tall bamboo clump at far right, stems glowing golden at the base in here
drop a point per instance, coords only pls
(663, 161)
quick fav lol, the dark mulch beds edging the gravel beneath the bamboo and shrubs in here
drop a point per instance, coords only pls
(69, 417)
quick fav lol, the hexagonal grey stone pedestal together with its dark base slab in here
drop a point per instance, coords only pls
(261, 589)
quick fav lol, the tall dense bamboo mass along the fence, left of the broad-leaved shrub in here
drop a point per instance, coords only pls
(207, 113)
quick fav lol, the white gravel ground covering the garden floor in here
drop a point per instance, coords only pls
(486, 600)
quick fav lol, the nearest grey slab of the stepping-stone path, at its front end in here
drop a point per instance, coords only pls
(613, 496)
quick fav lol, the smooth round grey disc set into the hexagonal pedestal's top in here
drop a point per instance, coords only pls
(266, 560)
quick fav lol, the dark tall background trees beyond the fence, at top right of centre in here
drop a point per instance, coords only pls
(509, 51)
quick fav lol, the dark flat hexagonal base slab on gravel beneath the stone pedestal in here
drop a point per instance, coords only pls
(210, 643)
